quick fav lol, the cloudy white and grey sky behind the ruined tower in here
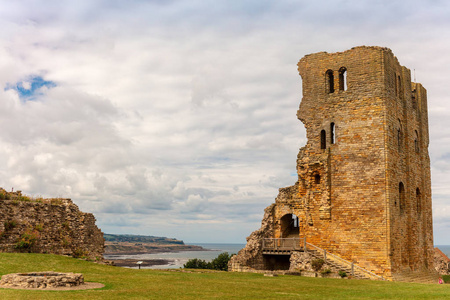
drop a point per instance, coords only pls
(178, 118)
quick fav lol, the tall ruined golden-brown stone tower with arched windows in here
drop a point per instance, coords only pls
(364, 190)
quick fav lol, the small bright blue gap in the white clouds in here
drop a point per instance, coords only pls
(31, 87)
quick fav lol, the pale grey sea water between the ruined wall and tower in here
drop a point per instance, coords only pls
(180, 258)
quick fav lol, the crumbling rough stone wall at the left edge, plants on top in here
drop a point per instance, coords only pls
(54, 226)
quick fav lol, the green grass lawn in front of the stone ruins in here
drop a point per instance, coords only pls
(121, 283)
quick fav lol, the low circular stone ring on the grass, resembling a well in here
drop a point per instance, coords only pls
(41, 280)
